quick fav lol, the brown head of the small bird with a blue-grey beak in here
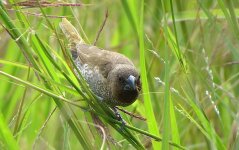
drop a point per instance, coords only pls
(125, 84)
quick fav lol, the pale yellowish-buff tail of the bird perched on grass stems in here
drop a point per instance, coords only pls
(71, 34)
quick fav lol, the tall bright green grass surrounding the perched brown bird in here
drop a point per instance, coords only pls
(186, 52)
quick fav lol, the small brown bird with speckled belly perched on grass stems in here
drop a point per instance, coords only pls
(110, 75)
